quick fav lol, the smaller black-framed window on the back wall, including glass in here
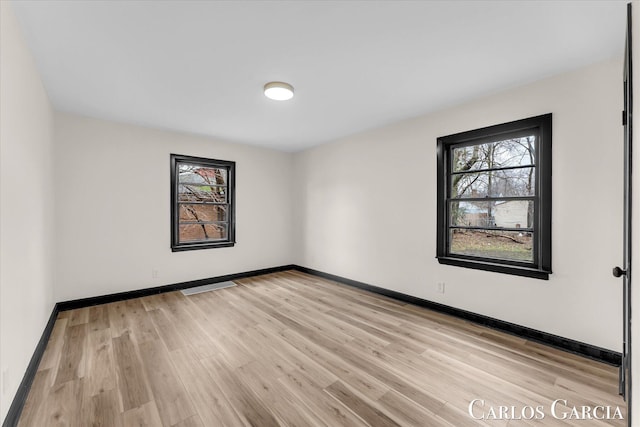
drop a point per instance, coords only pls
(202, 203)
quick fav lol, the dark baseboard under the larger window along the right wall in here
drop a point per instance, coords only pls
(566, 344)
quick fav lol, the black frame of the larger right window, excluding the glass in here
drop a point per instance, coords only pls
(540, 268)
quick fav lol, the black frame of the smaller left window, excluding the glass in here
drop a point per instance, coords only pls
(230, 166)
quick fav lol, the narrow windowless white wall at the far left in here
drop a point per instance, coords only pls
(26, 206)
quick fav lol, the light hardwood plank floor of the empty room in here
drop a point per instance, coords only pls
(293, 350)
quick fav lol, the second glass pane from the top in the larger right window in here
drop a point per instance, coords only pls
(500, 183)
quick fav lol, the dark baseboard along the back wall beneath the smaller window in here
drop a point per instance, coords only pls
(121, 296)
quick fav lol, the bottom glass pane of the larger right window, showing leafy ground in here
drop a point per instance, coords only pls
(508, 245)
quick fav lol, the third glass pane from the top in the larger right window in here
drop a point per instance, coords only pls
(504, 214)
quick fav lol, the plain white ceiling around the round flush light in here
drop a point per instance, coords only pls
(199, 66)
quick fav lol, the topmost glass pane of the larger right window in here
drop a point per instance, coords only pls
(500, 154)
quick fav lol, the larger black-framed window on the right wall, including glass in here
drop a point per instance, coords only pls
(494, 198)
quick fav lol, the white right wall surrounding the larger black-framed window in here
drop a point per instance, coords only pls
(366, 208)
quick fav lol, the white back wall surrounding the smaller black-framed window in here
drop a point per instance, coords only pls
(113, 208)
